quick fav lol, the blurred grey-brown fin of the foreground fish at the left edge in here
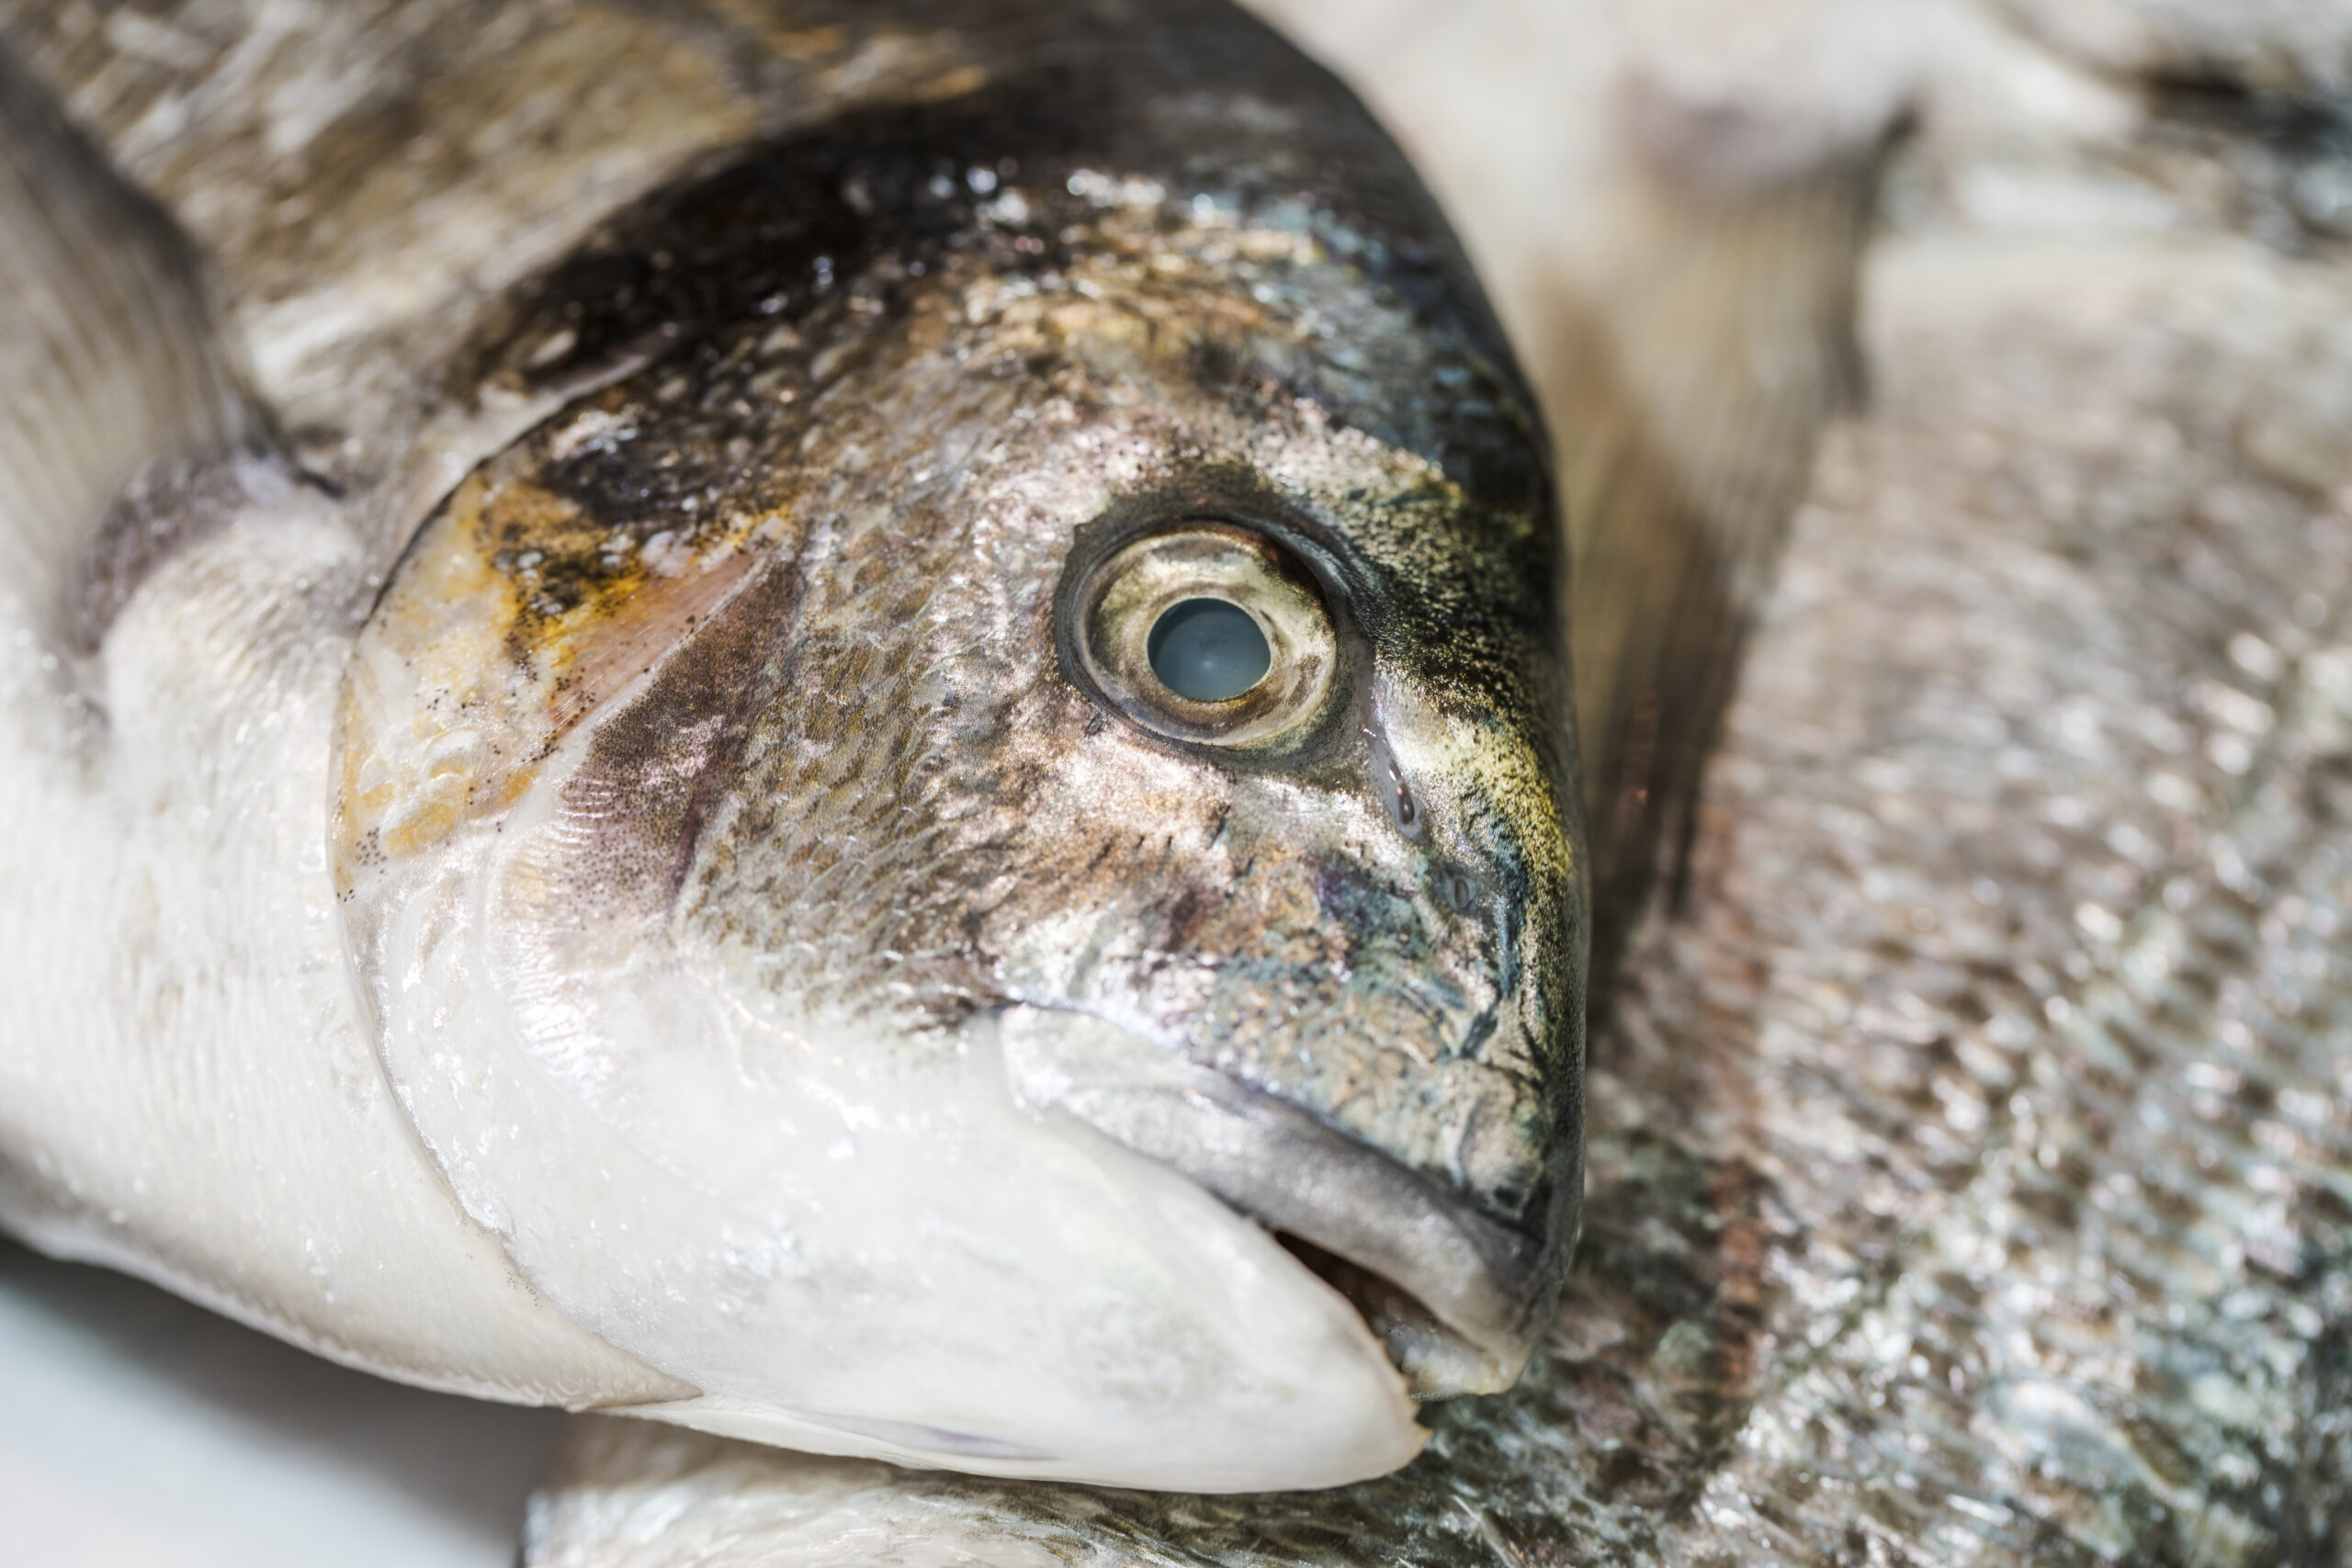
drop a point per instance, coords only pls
(109, 361)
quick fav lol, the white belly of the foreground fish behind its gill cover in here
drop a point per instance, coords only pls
(187, 1090)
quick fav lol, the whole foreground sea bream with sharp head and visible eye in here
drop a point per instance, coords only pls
(843, 723)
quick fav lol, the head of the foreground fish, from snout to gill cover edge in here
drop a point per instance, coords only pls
(980, 859)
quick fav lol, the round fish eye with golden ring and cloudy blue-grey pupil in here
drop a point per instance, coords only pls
(1208, 634)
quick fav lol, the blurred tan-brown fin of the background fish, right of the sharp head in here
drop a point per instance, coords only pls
(1706, 342)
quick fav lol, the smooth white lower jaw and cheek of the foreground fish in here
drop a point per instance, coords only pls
(895, 1264)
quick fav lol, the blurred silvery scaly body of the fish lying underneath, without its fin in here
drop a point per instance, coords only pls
(1970, 1158)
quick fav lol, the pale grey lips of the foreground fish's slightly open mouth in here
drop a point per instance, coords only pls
(1457, 1296)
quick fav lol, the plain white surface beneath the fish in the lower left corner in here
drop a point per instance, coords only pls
(145, 1433)
